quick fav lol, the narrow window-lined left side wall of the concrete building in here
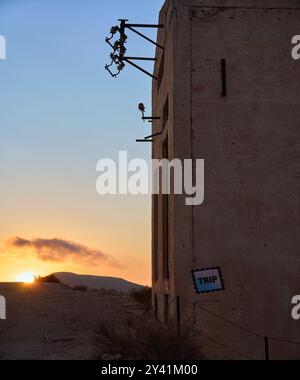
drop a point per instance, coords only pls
(162, 92)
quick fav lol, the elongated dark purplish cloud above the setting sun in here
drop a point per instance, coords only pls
(59, 250)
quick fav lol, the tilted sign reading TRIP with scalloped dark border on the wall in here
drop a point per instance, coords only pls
(208, 280)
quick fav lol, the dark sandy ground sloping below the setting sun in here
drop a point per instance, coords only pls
(51, 321)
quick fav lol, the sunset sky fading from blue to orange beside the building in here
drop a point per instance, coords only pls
(60, 113)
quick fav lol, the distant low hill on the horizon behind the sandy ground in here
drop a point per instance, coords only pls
(96, 282)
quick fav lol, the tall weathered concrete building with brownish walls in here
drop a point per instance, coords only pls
(230, 94)
